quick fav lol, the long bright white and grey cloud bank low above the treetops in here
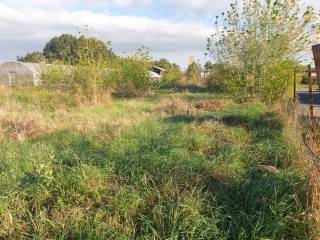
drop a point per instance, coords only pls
(28, 28)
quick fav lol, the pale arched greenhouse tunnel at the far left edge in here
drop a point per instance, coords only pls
(19, 73)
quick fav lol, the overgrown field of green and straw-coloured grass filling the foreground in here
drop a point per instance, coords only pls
(174, 165)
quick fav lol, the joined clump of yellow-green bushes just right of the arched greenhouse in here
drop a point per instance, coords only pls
(92, 74)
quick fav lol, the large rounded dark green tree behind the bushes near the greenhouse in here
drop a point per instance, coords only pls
(70, 49)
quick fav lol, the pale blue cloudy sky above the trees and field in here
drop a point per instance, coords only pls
(173, 29)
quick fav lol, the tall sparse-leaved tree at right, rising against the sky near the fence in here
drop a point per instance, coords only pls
(257, 44)
